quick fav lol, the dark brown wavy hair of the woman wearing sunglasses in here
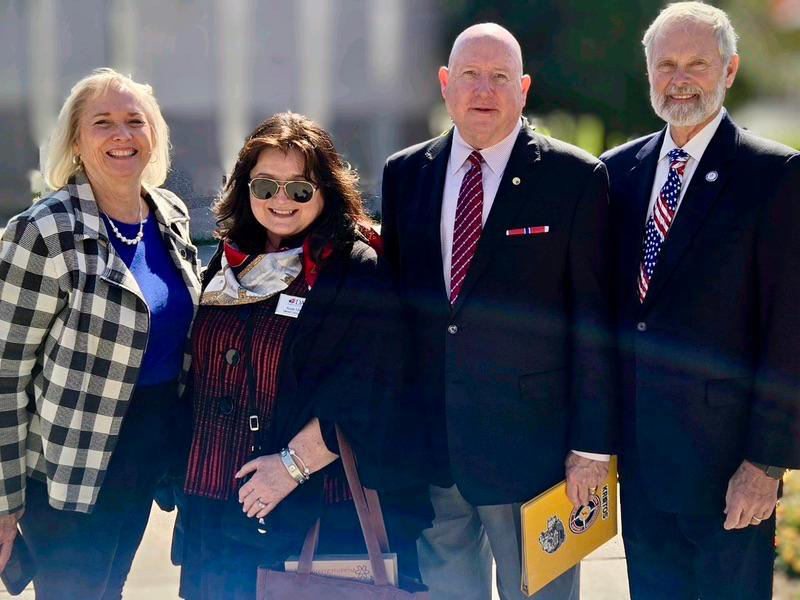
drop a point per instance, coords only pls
(343, 210)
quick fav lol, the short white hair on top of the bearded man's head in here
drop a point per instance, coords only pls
(694, 12)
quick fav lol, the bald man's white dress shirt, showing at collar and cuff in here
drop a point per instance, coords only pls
(495, 159)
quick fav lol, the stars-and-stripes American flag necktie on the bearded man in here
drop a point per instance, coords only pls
(660, 219)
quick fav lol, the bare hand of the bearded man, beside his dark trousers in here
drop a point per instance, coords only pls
(751, 497)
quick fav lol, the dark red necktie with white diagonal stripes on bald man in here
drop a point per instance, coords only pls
(467, 226)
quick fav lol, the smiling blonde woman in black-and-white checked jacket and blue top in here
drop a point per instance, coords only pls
(98, 289)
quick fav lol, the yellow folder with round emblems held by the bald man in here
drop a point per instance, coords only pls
(556, 535)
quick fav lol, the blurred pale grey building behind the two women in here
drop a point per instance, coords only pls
(364, 69)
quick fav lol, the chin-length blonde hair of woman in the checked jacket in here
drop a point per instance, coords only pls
(61, 162)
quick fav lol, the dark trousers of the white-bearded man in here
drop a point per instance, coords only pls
(686, 557)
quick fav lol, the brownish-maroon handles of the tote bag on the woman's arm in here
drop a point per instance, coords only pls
(370, 518)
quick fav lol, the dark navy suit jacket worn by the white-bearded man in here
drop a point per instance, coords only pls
(711, 359)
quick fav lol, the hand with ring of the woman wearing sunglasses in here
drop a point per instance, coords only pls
(269, 484)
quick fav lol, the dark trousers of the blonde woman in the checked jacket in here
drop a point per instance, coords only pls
(88, 556)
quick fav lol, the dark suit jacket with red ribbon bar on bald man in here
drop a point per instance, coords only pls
(520, 369)
